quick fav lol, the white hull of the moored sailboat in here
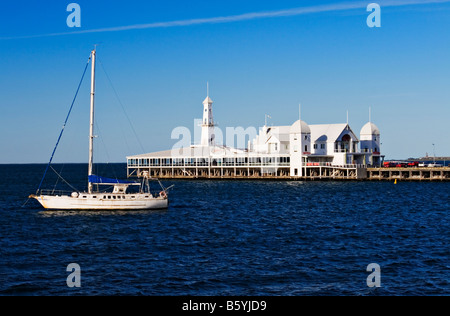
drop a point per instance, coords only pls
(102, 201)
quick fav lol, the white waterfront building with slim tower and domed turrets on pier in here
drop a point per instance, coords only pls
(325, 151)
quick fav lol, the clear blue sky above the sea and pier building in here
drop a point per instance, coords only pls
(330, 61)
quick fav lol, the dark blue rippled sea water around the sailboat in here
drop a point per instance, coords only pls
(230, 238)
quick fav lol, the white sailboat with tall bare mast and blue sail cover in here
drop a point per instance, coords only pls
(121, 197)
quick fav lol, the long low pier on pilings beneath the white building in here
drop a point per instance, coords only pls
(267, 170)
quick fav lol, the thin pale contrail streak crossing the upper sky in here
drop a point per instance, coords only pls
(246, 16)
